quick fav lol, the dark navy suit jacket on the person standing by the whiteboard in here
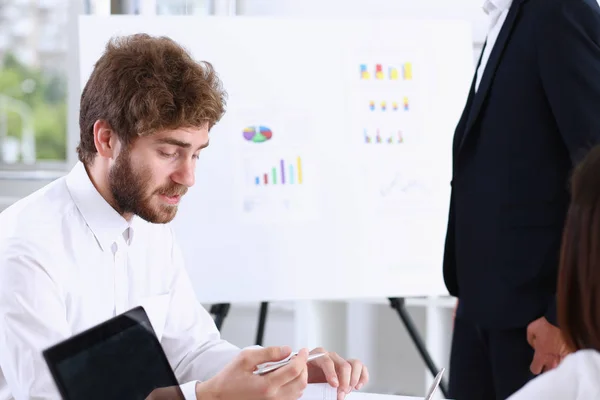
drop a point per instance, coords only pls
(536, 112)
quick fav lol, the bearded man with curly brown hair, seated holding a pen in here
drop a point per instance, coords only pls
(97, 242)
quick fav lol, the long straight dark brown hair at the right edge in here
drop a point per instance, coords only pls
(579, 274)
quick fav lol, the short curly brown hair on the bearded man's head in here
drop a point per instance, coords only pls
(143, 84)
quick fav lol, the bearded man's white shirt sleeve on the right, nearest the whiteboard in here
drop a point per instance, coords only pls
(191, 340)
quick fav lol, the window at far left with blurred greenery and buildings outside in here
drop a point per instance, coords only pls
(33, 85)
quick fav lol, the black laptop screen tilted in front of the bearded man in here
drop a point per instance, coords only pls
(120, 359)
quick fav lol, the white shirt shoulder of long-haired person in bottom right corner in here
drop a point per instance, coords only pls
(576, 378)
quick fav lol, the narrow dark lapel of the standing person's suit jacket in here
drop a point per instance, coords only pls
(490, 68)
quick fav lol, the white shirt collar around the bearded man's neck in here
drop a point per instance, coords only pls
(106, 224)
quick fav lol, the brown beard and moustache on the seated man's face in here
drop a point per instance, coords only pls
(131, 191)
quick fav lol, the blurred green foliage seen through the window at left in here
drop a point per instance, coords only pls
(46, 95)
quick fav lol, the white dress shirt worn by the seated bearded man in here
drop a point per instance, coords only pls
(69, 261)
